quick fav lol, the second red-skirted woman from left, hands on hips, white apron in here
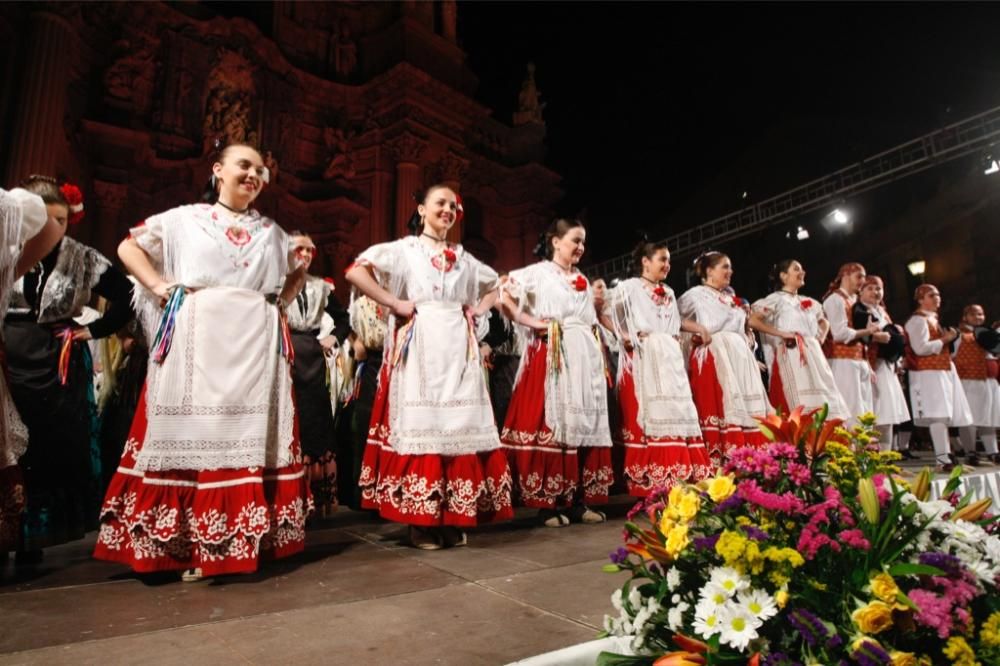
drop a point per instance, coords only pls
(433, 459)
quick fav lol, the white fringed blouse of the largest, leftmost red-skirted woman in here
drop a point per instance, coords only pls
(199, 247)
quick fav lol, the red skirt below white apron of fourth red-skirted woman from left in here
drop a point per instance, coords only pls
(656, 462)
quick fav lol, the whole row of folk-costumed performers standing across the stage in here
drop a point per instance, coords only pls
(237, 395)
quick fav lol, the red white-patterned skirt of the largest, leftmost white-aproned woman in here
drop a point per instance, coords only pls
(223, 521)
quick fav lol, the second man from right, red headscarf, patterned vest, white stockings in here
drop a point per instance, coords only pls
(936, 393)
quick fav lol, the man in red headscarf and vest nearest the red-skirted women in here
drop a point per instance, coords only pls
(847, 349)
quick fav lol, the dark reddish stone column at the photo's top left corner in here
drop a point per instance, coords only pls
(38, 133)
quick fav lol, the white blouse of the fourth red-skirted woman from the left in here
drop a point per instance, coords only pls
(635, 307)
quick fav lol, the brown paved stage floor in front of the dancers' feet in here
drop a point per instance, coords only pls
(355, 596)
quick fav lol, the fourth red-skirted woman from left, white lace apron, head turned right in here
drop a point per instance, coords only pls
(660, 426)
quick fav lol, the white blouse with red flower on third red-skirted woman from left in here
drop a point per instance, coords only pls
(545, 292)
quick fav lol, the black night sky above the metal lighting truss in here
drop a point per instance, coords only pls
(660, 115)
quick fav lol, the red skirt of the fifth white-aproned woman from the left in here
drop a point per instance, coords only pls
(721, 437)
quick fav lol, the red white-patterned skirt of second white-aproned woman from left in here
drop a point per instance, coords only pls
(430, 490)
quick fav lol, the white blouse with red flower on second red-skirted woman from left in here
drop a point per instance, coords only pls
(412, 270)
